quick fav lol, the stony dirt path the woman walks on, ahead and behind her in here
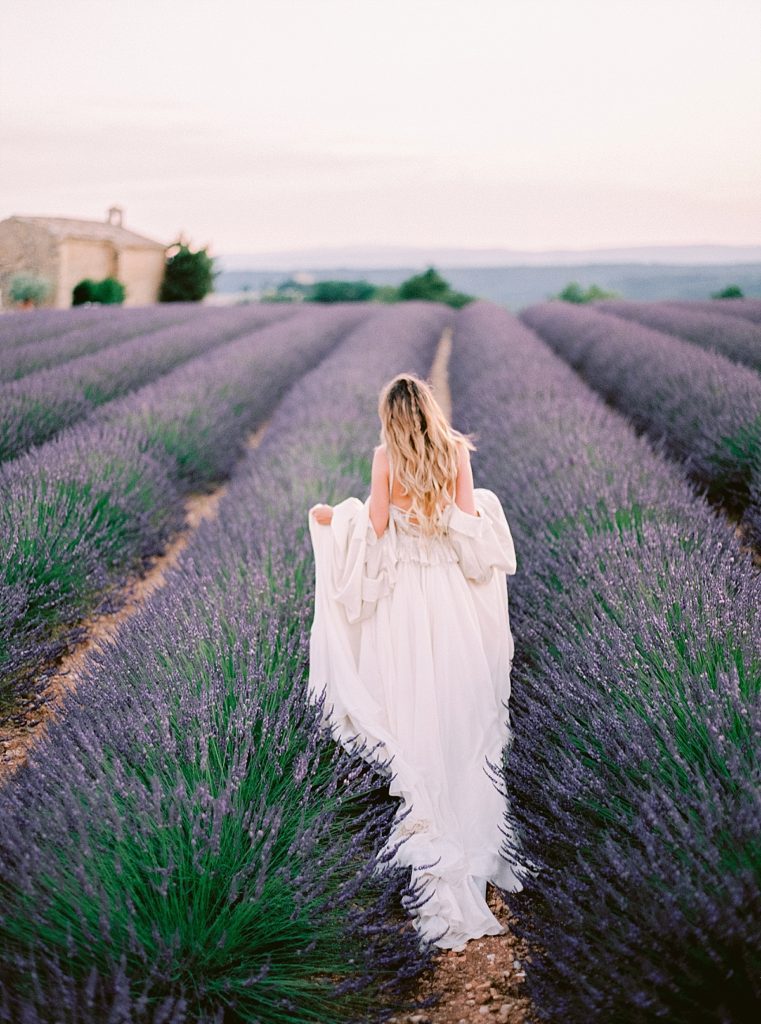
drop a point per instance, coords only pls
(486, 982)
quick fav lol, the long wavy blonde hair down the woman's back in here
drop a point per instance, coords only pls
(421, 446)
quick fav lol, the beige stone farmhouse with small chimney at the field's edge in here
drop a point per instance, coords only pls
(65, 250)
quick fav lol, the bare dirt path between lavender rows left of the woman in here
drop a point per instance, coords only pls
(16, 742)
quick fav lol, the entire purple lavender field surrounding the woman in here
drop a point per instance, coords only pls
(186, 843)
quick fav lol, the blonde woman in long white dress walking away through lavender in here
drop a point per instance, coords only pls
(411, 645)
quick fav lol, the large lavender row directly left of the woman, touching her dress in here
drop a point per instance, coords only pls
(187, 840)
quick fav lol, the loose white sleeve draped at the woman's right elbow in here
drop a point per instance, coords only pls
(484, 543)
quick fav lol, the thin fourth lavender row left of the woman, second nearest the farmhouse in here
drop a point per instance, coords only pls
(38, 355)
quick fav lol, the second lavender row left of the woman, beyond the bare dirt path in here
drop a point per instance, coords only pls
(87, 508)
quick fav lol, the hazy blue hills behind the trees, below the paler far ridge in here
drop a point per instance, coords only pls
(517, 287)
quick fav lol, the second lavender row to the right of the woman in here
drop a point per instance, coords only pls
(706, 410)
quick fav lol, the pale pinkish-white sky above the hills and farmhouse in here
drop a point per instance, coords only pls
(258, 125)
